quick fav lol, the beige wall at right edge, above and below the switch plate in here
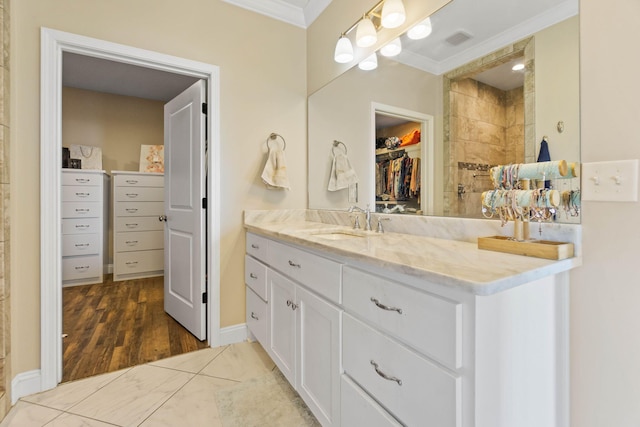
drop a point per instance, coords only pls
(605, 291)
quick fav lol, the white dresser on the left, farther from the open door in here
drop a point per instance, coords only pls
(84, 226)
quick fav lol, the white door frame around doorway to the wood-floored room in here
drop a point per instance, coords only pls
(53, 44)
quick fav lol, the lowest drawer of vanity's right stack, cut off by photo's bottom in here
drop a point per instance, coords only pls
(357, 408)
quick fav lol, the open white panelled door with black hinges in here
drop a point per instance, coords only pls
(184, 236)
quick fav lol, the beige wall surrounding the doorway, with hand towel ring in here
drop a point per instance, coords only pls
(263, 90)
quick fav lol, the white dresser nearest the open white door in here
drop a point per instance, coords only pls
(138, 247)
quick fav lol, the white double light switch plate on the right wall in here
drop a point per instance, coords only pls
(615, 181)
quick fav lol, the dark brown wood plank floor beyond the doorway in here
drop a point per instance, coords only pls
(115, 325)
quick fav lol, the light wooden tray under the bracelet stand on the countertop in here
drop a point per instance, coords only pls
(536, 248)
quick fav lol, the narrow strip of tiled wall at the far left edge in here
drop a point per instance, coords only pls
(5, 401)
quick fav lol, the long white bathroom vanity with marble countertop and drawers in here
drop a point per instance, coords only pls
(407, 329)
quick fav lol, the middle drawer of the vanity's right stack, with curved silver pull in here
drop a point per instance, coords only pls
(415, 390)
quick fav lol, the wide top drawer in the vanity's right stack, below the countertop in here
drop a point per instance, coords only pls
(428, 323)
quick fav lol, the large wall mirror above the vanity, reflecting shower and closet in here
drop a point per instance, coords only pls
(470, 109)
